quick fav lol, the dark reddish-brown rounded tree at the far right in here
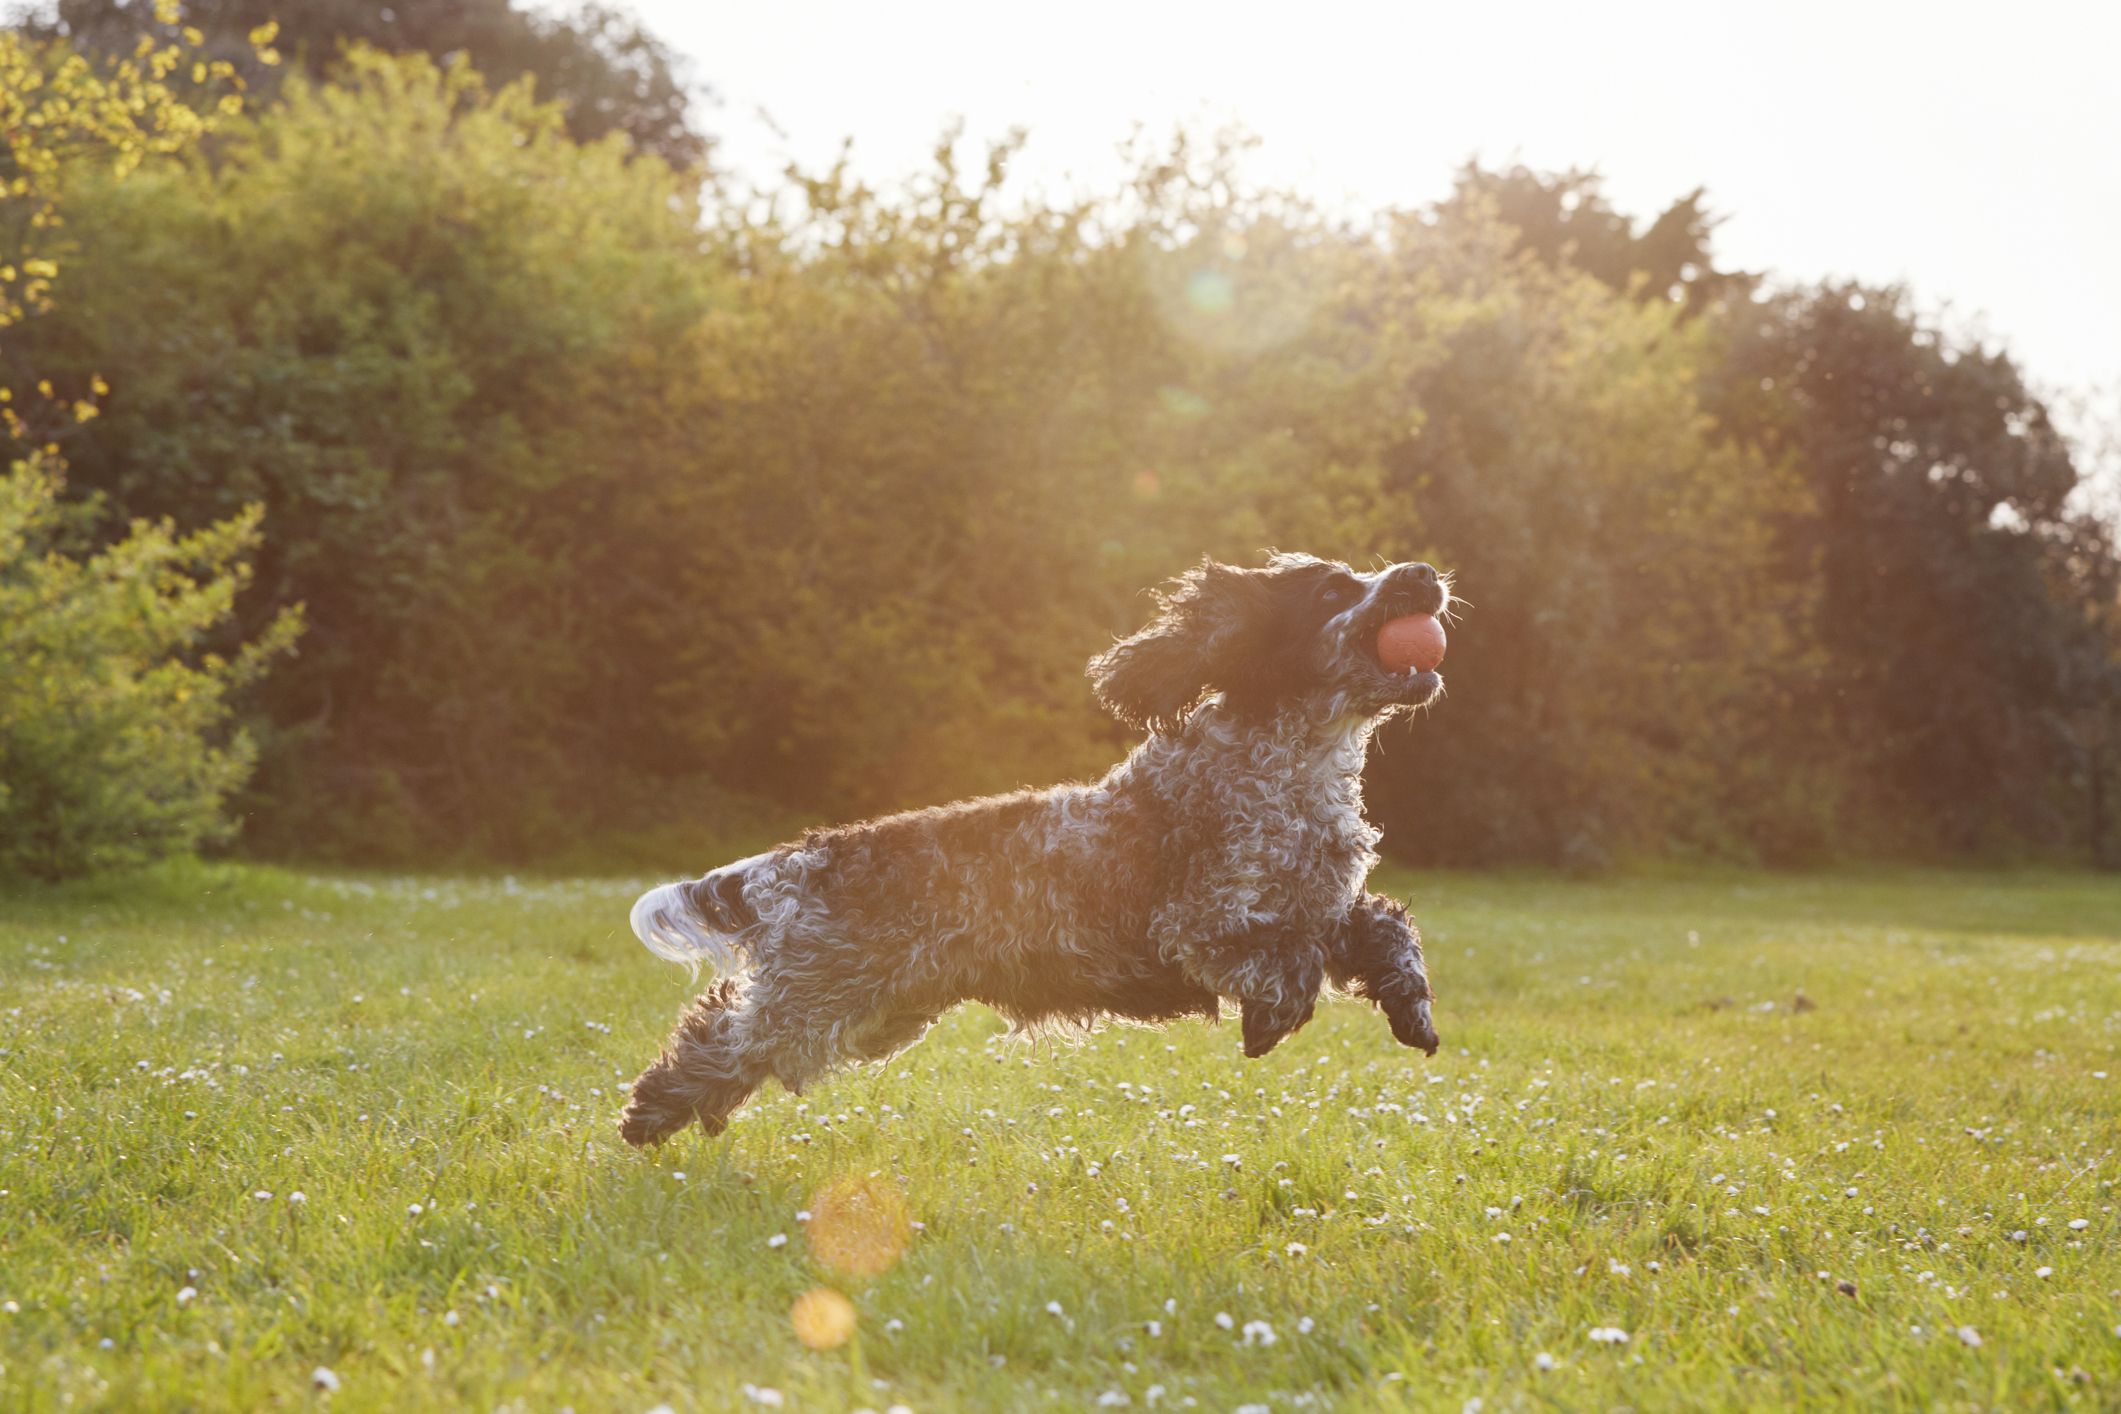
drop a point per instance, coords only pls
(1967, 603)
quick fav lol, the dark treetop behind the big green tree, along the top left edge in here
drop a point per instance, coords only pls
(597, 60)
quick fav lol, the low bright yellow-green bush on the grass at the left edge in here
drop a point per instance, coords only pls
(113, 726)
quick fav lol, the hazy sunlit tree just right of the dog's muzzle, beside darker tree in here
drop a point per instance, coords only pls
(1628, 646)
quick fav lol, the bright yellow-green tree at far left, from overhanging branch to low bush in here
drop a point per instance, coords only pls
(116, 741)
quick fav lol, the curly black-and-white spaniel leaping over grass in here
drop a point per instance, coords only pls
(1223, 860)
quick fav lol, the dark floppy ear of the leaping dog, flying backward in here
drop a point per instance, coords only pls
(1202, 629)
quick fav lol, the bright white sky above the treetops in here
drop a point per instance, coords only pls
(1967, 149)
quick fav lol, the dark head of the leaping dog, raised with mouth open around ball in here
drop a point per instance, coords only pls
(1295, 635)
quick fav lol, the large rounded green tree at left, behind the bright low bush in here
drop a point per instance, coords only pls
(459, 359)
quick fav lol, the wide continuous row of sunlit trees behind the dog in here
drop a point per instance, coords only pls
(612, 508)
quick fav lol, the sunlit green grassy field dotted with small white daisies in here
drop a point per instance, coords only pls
(1827, 1142)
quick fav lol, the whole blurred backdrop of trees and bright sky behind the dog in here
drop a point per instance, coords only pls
(495, 434)
